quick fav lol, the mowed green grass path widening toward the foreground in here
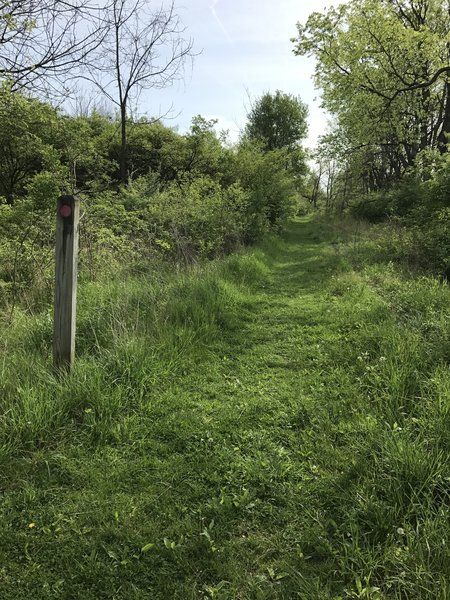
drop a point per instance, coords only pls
(231, 475)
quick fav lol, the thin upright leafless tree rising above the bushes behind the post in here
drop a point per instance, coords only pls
(145, 49)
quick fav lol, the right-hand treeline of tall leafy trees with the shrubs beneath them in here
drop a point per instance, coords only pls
(384, 70)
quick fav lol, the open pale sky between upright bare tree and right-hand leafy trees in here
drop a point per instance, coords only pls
(244, 50)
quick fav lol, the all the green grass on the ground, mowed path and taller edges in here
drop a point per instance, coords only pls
(273, 425)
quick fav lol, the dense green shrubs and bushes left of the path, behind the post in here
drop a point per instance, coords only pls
(188, 197)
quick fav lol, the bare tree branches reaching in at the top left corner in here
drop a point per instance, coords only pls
(42, 41)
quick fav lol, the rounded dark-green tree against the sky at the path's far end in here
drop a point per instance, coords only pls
(277, 121)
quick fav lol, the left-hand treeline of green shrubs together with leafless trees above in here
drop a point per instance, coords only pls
(149, 194)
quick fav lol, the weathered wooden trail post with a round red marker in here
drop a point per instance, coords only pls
(66, 260)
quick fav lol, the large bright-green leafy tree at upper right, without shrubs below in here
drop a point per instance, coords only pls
(383, 66)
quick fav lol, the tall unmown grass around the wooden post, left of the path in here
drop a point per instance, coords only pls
(131, 335)
